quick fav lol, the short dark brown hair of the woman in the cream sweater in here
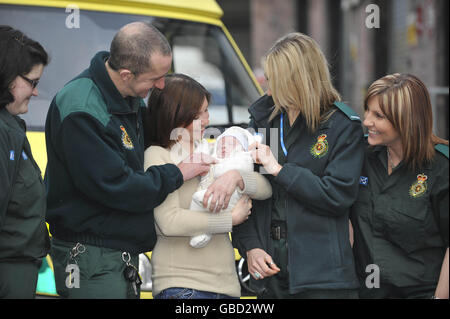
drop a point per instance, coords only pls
(177, 105)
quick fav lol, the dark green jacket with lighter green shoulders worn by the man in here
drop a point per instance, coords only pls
(98, 191)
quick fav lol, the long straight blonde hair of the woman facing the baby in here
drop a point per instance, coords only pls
(299, 79)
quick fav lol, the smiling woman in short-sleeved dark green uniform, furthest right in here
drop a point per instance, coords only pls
(400, 219)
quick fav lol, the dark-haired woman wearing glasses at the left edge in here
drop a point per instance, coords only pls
(23, 233)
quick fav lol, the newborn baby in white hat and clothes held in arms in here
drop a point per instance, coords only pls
(231, 151)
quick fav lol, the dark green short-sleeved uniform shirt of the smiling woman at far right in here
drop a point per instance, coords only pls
(401, 221)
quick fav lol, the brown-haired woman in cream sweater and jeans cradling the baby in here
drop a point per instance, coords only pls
(179, 270)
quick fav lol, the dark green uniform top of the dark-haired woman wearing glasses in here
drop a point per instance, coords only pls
(23, 233)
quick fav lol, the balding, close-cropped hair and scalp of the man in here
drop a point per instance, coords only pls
(133, 46)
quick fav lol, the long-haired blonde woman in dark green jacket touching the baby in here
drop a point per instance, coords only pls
(297, 245)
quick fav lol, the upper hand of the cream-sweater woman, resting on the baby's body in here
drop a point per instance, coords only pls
(221, 190)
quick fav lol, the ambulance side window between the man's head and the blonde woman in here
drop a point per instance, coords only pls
(204, 53)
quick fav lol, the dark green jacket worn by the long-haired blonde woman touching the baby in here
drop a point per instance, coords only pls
(320, 179)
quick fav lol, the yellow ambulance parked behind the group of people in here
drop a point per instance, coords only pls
(73, 31)
